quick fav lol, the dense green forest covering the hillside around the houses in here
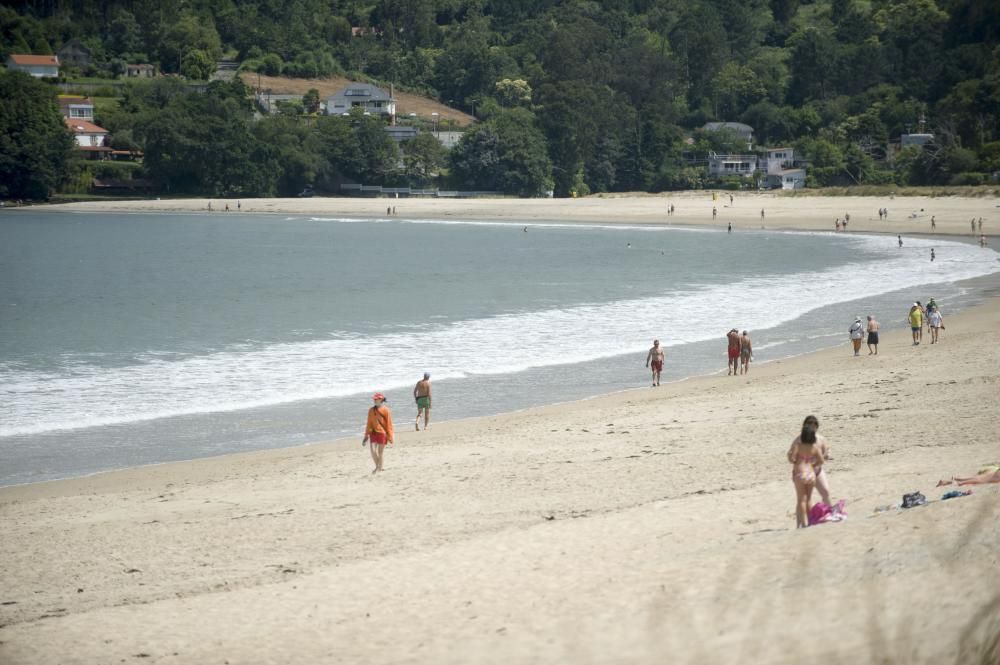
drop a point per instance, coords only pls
(574, 95)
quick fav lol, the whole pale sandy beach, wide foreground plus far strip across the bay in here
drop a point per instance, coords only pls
(648, 526)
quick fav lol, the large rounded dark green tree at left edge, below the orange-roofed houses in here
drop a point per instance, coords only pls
(35, 145)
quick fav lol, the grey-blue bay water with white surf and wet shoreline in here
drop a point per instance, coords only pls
(134, 339)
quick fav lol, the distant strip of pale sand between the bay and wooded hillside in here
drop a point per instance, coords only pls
(907, 215)
